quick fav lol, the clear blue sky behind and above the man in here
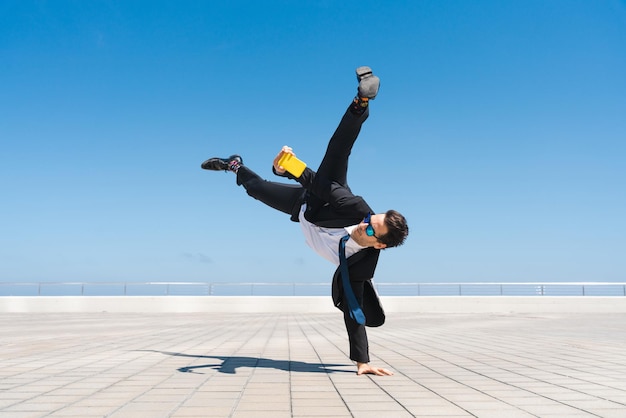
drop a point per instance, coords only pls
(499, 132)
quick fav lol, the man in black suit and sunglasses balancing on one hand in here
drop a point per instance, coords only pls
(338, 225)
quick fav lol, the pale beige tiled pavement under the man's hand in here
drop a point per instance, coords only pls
(295, 365)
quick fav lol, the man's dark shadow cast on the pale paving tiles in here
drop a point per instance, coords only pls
(229, 364)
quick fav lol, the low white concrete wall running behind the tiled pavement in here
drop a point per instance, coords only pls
(313, 304)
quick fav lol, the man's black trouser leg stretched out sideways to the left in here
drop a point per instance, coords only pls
(280, 196)
